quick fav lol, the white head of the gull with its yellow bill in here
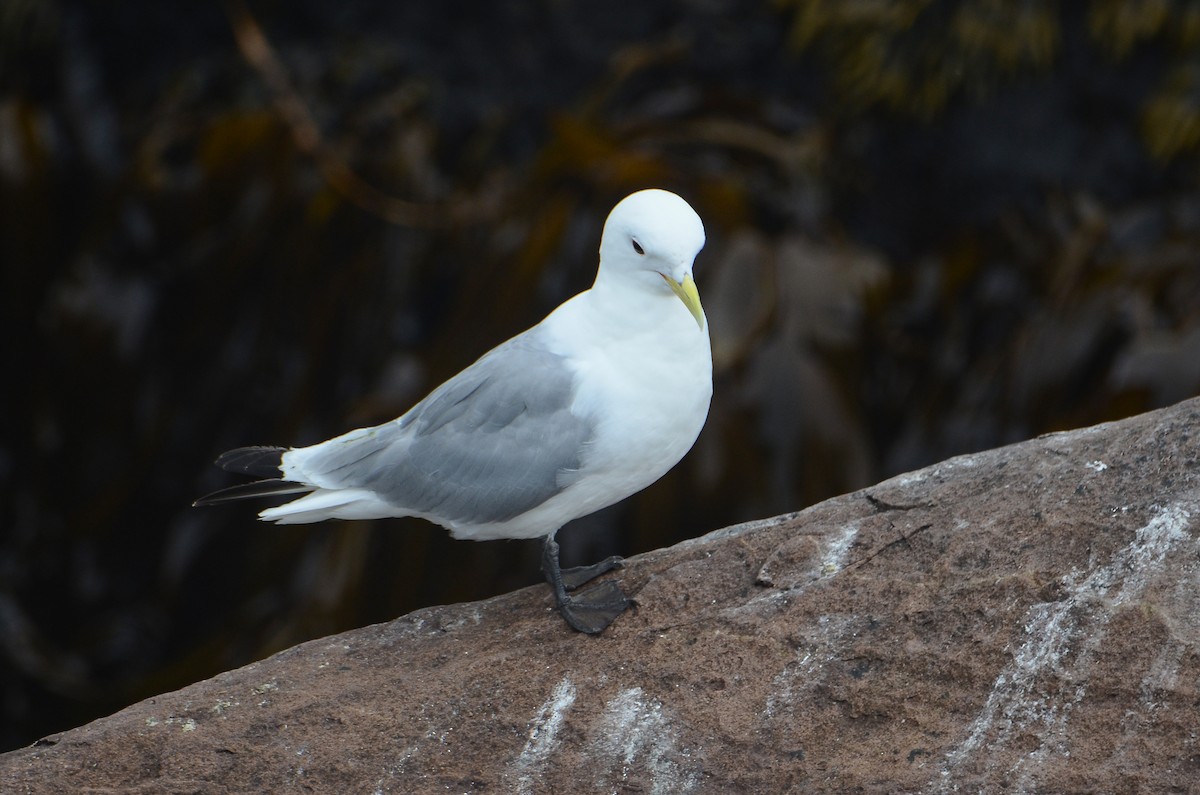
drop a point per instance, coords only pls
(655, 236)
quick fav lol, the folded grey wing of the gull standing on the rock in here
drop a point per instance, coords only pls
(487, 446)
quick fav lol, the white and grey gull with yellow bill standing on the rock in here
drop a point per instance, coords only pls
(592, 405)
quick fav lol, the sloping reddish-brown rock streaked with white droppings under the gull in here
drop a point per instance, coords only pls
(1021, 620)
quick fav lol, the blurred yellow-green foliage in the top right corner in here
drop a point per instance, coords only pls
(917, 56)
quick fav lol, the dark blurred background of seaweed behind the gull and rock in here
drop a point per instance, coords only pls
(933, 228)
